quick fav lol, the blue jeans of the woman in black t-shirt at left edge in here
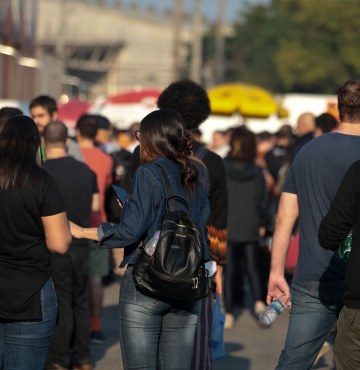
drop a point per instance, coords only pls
(24, 344)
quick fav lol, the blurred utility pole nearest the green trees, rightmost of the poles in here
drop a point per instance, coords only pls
(219, 43)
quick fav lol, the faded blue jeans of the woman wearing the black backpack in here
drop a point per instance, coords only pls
(155, 333)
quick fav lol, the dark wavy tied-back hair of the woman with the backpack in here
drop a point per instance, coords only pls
(163, 135)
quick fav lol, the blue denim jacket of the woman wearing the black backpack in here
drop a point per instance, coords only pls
(144, 208)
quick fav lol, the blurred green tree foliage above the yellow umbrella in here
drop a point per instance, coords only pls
(296, 45)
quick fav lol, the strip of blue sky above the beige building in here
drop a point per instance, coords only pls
(232, 7)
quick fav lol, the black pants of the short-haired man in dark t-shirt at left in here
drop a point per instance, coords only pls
(69, 274)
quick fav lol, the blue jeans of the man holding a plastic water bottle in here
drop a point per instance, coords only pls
(314, 311)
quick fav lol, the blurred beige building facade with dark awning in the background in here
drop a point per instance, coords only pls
(94, 49)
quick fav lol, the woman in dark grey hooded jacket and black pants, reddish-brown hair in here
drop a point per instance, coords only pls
(246, 219)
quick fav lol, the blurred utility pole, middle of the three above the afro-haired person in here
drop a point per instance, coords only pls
(196, 59)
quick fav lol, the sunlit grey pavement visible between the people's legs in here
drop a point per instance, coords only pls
(248, 347)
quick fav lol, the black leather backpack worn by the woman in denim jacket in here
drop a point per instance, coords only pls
(176, 269)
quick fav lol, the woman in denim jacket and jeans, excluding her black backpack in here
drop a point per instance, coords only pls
(155, 333)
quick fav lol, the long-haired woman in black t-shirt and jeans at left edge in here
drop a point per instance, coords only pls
(33, 222)
